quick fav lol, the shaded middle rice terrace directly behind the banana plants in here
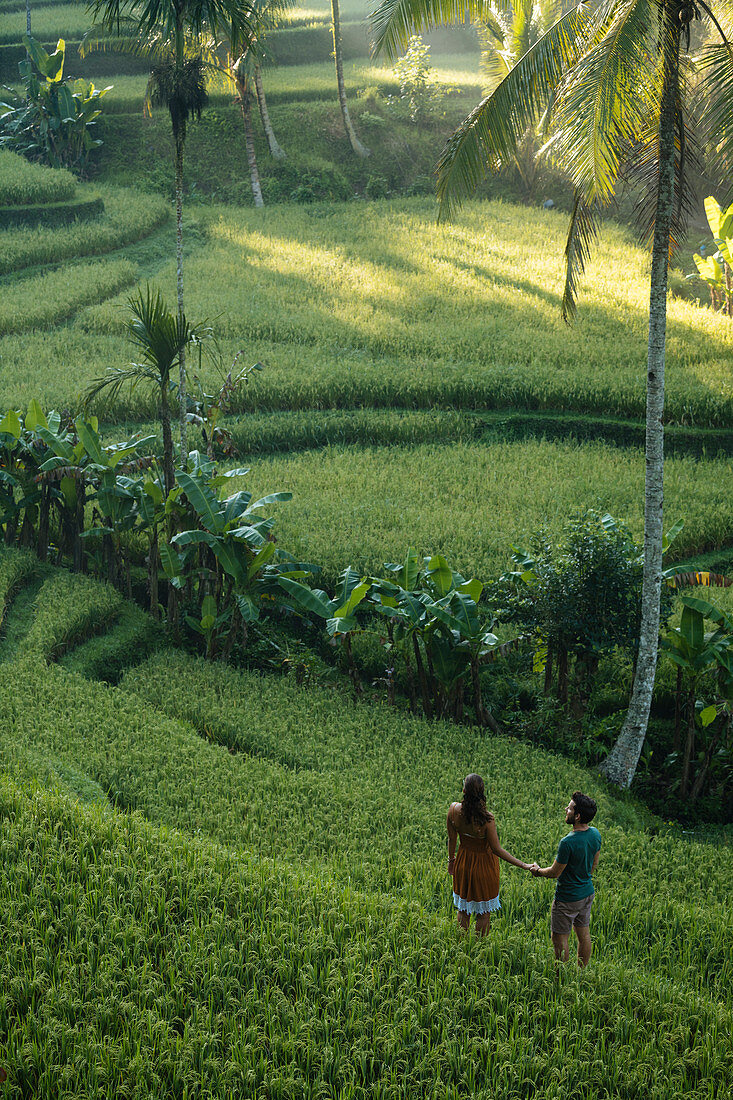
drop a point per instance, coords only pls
(472, 502)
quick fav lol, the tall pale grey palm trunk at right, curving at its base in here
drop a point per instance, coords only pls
(620, 766)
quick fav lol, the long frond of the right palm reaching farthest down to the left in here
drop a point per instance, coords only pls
(489, 137)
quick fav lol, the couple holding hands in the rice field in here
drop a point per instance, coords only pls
(475, 870)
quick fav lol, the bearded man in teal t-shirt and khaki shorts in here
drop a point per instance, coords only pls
(574, 867)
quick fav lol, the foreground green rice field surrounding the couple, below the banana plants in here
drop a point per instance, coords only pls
(240, 890)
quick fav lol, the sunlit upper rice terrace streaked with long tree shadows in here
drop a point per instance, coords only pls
(379, 306)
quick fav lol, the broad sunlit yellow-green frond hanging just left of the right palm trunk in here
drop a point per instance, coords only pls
(604, 104)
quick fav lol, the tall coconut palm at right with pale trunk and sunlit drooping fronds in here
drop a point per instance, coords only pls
(610, 81)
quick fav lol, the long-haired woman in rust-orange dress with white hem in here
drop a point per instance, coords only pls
(475, 870)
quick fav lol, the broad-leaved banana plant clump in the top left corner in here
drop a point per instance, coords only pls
(56, 119)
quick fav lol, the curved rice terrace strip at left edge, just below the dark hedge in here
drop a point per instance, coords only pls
(128, 217)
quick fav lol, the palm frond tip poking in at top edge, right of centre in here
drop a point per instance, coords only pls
(395, 21)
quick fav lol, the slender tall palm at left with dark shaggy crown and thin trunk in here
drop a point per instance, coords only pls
(173, 32)
